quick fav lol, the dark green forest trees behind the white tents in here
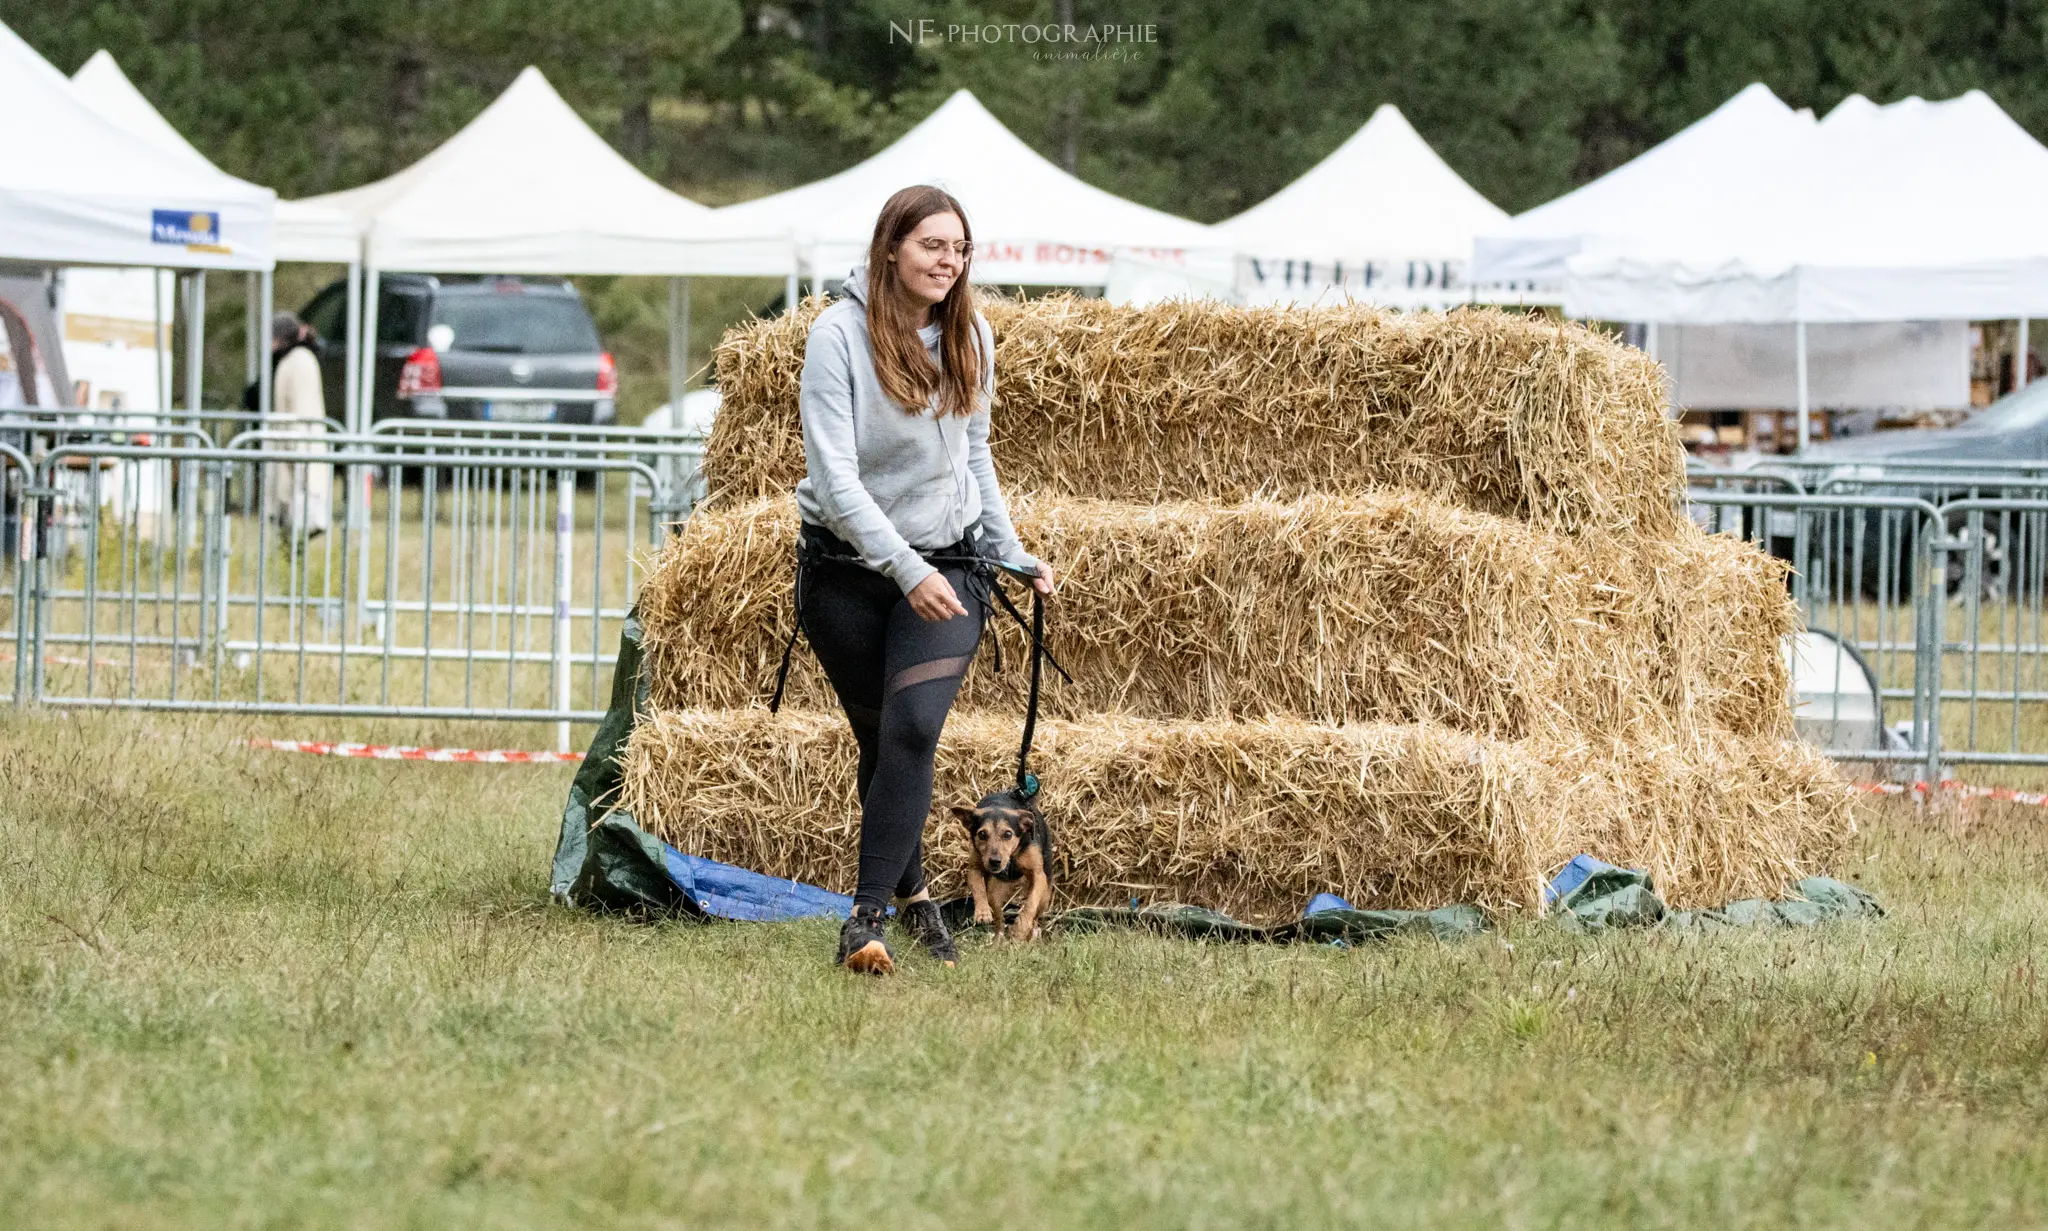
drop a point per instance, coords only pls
(1230, 99)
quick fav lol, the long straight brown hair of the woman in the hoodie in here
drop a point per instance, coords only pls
(902, 364)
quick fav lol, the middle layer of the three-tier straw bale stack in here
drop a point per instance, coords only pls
(1385, 607)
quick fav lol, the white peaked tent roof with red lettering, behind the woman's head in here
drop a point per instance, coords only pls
(1033, 222)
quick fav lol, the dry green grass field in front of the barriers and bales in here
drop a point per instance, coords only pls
(261, 990)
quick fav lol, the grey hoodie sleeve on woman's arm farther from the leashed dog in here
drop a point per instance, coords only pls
(833, 460)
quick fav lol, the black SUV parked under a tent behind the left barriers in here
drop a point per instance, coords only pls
(476, 349)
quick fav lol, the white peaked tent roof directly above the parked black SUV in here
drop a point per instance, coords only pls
(527, 187)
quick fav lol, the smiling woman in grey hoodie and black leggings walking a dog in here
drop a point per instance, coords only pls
(896, 394)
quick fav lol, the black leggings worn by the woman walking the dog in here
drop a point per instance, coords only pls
(896, 675)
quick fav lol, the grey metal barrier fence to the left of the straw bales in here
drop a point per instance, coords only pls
(331, 575)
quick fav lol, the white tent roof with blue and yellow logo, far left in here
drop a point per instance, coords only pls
(79, 189)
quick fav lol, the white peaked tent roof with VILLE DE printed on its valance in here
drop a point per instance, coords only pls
(1383, 220)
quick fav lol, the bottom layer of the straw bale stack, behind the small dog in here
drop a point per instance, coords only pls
(1254, 818)
